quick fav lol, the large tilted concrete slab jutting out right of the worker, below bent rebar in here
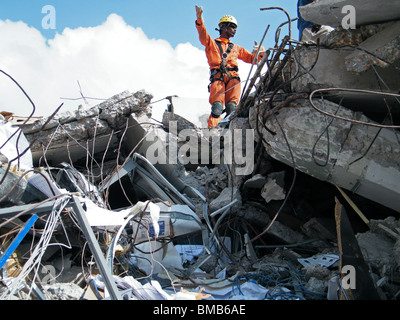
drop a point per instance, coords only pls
(359, 158)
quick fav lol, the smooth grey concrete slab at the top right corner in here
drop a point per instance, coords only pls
(329, 12)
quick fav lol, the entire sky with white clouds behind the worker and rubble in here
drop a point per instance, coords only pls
(113, 46)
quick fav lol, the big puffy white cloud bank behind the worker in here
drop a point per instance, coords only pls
(106, 60)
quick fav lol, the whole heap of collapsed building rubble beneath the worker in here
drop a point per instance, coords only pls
(87, 213)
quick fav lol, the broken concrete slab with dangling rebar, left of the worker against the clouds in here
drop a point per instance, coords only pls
(72, 135)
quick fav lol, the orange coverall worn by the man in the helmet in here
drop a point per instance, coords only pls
(229, 90)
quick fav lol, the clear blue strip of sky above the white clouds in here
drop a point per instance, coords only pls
(171, 20)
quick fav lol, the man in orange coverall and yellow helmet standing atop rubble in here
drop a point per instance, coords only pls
(222, 55)
